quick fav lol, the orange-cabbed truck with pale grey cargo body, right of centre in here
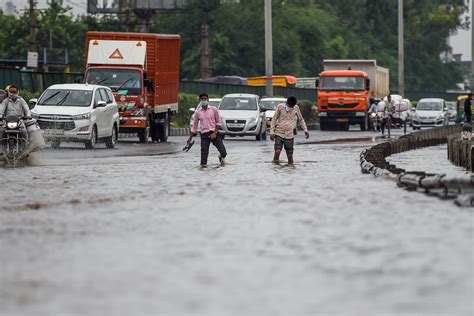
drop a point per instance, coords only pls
(345, 91)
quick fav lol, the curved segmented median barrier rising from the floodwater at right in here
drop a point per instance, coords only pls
(373, 161)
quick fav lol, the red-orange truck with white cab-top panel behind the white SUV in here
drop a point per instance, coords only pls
(143, 72)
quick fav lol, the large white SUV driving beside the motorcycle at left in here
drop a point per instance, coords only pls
(78, 113)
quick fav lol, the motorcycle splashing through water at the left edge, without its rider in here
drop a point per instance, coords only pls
(14, 139)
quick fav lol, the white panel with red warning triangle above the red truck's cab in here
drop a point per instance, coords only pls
(116, 52)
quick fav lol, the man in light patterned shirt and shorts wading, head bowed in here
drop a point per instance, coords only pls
(281, 130)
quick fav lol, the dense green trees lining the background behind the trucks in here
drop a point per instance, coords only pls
(304, 33)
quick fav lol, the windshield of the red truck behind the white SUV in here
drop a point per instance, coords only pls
(123, 81)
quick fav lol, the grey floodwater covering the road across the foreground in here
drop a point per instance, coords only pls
(101, 233)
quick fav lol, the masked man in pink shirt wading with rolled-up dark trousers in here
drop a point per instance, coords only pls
(210, 123)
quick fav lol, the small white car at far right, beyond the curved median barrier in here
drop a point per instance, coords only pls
(430, 112)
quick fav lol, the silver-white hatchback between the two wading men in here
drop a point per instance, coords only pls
(242, 115)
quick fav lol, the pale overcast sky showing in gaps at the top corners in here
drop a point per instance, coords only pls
(461, 41)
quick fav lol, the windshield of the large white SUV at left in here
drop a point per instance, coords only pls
(65, 97)
